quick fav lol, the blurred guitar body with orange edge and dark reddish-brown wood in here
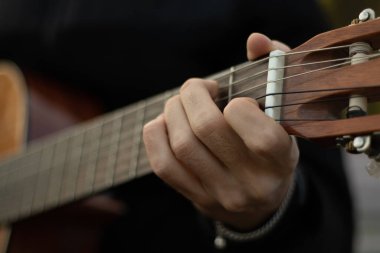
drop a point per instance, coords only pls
(73, 228)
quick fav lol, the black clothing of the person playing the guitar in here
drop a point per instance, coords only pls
(123, 51)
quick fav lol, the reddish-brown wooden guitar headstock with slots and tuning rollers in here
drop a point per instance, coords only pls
(332, 86)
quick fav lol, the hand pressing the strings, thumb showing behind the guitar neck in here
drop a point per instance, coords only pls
(235, 166)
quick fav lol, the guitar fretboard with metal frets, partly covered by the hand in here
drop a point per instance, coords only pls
(99, 154)
